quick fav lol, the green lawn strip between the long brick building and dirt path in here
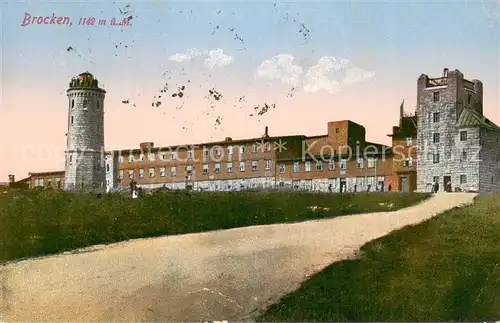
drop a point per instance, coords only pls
(34, 223)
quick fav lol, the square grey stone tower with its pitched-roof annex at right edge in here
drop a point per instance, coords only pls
(457, 145)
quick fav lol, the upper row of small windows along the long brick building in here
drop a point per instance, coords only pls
(206, 153)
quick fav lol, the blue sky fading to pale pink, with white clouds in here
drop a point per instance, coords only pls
(315, 61)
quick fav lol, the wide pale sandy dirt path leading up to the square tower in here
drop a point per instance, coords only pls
(222, 275)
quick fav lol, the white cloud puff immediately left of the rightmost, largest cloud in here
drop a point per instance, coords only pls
(280, 67)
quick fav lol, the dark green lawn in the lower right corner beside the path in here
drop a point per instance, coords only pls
(445, 269)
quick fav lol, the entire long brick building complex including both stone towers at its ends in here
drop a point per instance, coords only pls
(448, 121)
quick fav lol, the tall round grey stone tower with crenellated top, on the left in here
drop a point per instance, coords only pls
(85, 138)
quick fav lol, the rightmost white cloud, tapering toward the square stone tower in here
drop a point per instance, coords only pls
(331, 74)
